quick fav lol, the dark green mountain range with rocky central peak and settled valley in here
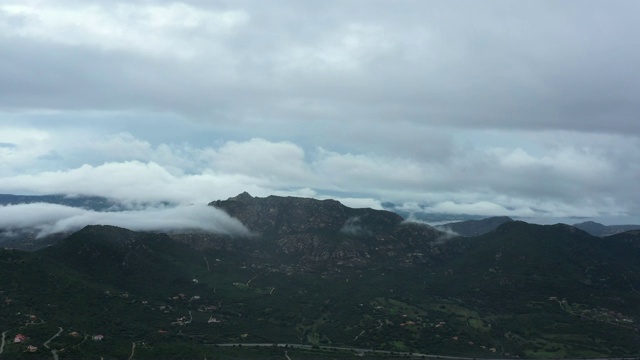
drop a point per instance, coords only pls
(320, 274)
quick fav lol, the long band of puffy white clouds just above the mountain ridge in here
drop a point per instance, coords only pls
(581, 178)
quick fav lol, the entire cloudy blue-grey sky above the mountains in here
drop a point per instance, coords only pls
(521, 108)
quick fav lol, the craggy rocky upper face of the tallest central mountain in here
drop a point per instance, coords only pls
(320, 234)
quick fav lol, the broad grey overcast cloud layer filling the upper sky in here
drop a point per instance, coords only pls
(527, 65)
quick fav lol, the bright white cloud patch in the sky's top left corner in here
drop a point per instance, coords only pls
(174, 29)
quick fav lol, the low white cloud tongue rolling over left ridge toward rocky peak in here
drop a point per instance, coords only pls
(50, 219)
